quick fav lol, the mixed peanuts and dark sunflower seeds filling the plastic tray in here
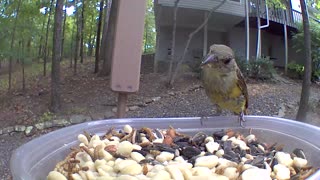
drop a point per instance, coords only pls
(141, 154)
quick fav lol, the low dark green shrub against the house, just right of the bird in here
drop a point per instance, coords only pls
(258, 68)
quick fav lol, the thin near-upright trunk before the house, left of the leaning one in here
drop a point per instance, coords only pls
(173, 45)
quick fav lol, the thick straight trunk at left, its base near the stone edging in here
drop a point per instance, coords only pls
(56, 58)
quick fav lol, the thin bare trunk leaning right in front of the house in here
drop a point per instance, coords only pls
(174, 74)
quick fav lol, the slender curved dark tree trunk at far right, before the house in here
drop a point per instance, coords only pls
(305, 93)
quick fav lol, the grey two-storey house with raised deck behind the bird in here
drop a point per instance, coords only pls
(227, 25)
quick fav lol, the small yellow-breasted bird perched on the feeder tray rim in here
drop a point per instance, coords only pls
(223, 81)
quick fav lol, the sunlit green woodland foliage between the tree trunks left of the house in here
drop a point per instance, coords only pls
(31, 24)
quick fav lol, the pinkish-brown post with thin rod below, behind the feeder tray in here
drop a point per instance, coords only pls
(126, 59)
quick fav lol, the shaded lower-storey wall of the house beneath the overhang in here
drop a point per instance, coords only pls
(272, 45)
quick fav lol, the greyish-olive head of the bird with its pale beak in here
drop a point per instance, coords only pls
(220, 58)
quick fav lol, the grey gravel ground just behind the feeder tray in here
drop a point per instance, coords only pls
(265, 99)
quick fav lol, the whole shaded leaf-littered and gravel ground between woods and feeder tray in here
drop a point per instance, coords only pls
(90, 95)
